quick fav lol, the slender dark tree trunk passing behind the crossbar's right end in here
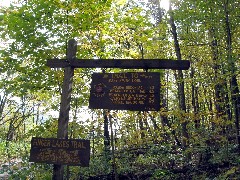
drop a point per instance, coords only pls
(180, 81)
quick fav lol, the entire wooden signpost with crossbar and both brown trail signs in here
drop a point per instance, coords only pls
(136, 95)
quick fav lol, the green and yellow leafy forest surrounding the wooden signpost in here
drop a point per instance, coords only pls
(195, 135)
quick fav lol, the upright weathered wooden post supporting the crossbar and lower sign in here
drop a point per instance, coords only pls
(62, 133)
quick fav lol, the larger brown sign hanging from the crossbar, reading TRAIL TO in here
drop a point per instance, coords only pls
(136, 91)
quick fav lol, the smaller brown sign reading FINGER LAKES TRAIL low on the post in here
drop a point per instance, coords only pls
(60, 151)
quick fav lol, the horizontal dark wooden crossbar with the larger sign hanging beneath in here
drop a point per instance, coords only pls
(121, 63)
